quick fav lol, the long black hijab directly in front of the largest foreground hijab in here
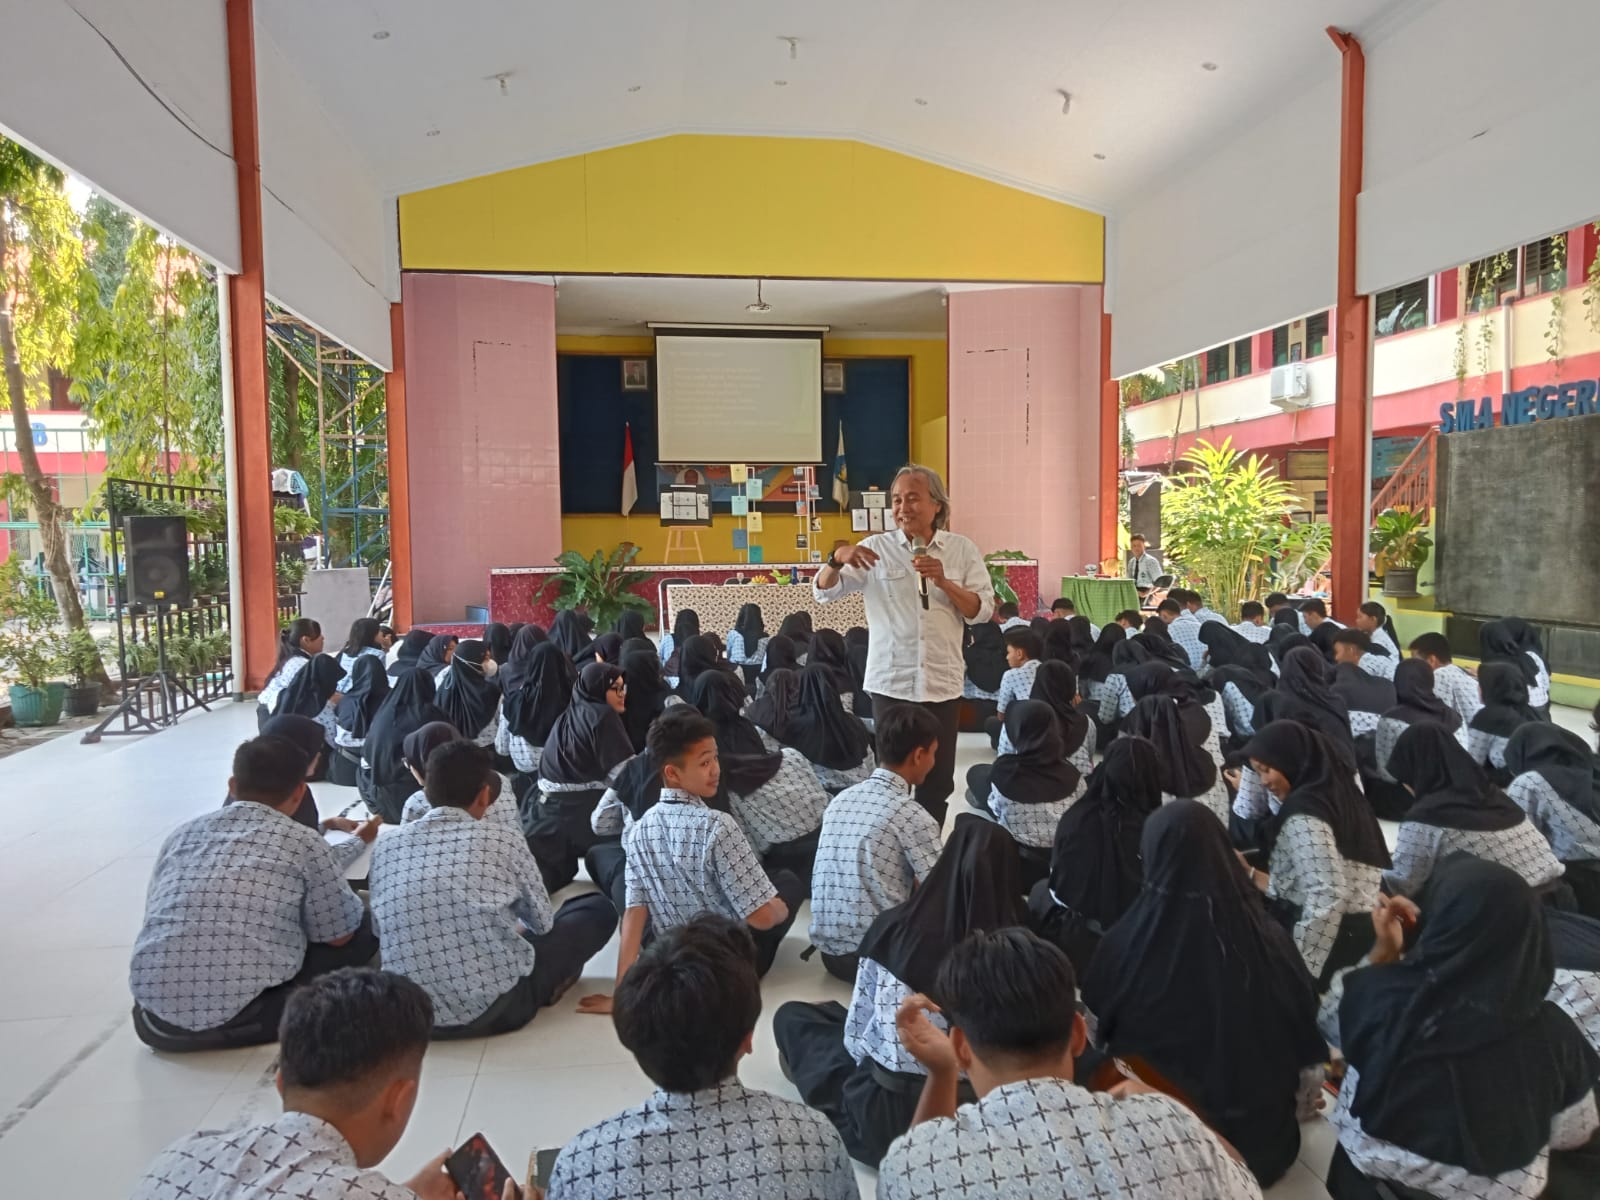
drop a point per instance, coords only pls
(1095, 862)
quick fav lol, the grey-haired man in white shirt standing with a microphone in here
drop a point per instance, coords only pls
(922, 586)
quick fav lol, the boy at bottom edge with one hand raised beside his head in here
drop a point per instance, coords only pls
(1015, 1033)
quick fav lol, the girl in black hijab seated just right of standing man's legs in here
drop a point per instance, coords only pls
(1033, 786)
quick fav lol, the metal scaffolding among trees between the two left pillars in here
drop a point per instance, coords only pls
(353, 442)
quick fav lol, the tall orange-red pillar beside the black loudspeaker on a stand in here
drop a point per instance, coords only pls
(249, 302)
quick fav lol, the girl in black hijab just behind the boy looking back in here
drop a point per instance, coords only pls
(775, 798)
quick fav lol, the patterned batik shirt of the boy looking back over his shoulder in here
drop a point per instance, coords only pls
(686, 858)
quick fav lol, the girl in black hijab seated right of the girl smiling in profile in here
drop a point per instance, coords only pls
(1458, 809)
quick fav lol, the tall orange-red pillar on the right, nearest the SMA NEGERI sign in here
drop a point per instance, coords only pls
(1348, 468)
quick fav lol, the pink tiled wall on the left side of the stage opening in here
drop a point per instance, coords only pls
(482, 434)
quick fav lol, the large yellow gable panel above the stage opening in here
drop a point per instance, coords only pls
(734, 206)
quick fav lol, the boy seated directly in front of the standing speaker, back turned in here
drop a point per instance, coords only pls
(876, 844)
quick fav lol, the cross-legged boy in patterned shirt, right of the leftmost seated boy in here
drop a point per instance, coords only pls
(462, 908)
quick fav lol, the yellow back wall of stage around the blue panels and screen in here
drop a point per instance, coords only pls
(929, 407)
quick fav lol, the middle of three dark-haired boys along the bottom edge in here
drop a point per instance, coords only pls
(687, 1012)
